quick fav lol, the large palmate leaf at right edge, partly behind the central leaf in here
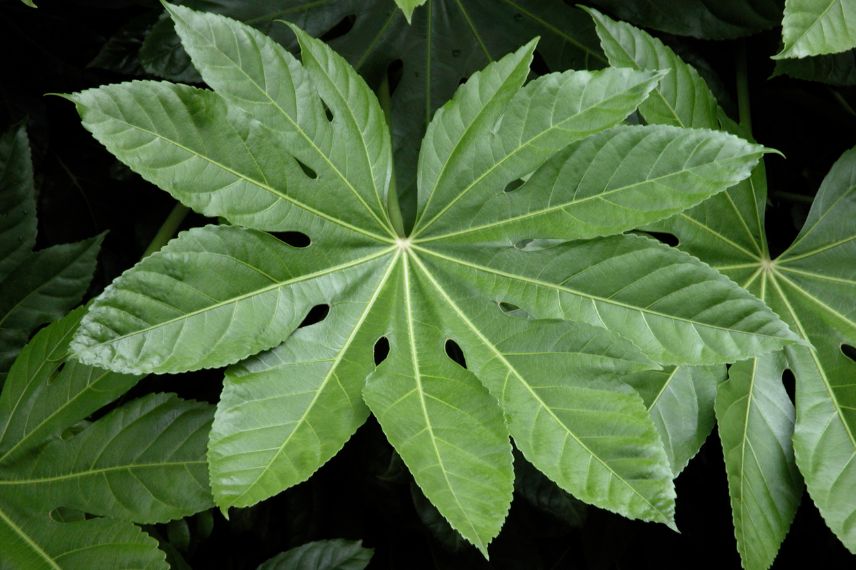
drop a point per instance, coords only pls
(810, 285)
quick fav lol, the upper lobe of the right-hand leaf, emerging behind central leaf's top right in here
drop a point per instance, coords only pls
(682, 98)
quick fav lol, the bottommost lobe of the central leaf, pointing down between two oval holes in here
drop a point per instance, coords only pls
(443, 423)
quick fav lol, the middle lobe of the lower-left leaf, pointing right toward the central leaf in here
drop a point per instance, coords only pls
(105, 471)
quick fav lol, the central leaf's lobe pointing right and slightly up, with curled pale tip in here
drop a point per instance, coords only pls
(610, 182)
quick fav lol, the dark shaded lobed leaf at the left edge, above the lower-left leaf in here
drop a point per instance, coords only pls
(35, 287)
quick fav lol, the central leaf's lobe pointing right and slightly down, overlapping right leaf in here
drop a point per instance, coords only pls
(655, 296)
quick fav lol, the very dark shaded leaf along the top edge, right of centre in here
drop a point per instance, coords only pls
(708, 19)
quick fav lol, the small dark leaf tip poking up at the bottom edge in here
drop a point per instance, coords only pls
(334, 554)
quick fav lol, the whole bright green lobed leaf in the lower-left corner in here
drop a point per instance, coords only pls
(52, 473)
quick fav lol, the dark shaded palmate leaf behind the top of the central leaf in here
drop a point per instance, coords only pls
(444, 41)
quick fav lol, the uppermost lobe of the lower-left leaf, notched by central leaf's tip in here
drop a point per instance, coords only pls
(45, 393)
